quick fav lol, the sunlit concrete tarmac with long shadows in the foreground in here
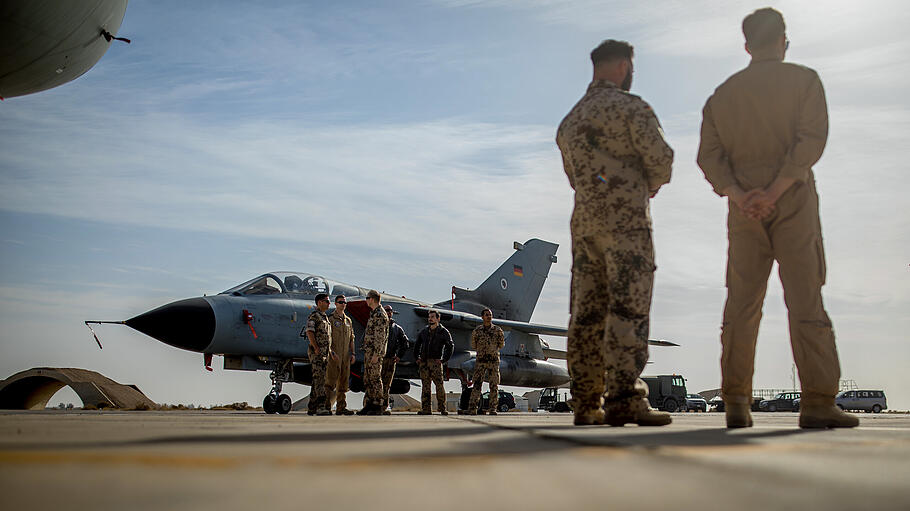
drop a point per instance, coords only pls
(518, 461)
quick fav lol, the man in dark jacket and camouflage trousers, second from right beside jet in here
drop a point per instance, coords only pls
(434, 347)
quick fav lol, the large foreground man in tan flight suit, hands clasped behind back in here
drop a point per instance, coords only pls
(762, 131)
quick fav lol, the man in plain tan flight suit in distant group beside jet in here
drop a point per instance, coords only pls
(339, 368)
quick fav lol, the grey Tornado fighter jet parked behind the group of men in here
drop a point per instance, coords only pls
(257, 325)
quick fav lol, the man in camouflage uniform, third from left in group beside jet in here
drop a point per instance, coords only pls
(373, 346)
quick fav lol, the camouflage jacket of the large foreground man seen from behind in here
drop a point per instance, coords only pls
(614, 154)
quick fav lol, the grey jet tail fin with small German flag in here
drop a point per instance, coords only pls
(511, 291)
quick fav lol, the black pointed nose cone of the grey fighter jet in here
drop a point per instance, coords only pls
(188, 324)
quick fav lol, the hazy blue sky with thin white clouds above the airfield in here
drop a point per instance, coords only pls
(404, 146)
